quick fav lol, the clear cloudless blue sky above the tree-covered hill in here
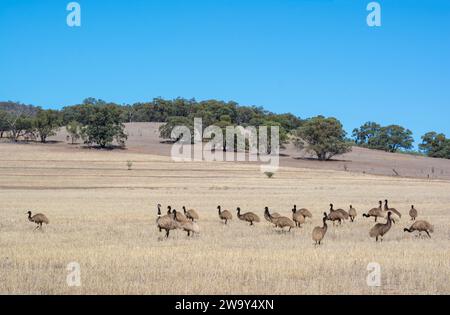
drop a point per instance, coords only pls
(305, 57)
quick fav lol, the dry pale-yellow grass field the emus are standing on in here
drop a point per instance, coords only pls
(103, 217)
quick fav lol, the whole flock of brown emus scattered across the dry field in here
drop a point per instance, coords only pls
(186, 220)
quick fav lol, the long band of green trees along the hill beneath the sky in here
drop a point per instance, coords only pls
(101, 123)
